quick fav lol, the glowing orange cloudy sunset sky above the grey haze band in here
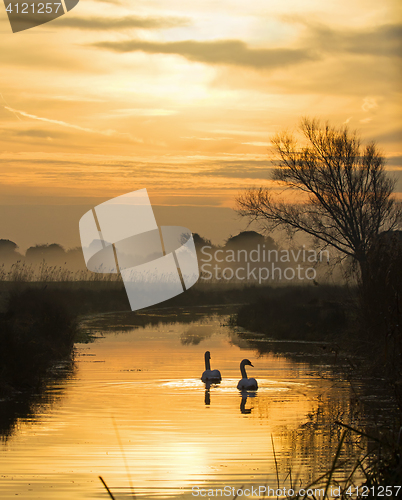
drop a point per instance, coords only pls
(182, 98)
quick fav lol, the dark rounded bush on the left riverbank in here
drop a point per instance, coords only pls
(36, 331)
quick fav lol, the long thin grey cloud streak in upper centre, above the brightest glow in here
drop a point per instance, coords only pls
(231, 52)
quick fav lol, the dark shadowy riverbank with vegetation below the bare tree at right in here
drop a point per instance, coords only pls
(364, 337)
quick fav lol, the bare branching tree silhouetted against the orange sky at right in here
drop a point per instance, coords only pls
(348, 196)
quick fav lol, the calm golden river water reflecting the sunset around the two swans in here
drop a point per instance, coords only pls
(135, 412)
